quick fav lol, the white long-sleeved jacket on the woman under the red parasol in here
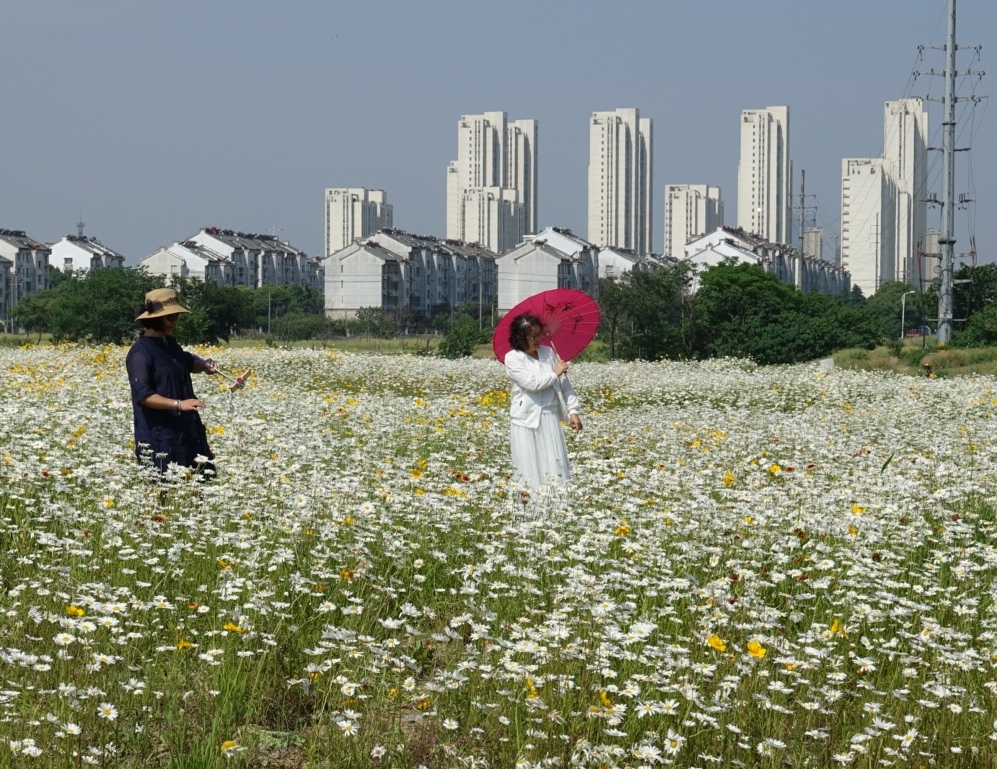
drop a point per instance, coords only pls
(535, 385)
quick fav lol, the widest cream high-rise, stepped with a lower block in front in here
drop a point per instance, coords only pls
(492, 185)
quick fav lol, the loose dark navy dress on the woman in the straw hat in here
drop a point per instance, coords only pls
(159, 366)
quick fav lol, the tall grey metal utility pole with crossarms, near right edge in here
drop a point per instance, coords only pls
(946, 239)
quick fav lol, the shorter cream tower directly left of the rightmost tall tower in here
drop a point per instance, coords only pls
(868, 215)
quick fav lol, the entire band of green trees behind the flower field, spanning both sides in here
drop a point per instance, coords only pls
(736, 310)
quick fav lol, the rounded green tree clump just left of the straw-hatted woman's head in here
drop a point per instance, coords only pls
(98, 307)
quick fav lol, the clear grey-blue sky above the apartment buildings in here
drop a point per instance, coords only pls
(153, 119)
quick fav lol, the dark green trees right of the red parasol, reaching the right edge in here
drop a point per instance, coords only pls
(739, 310)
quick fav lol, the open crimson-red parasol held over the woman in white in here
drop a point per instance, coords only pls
(570, 319)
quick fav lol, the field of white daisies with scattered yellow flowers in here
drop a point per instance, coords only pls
(754, 567)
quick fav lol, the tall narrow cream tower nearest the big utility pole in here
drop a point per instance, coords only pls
(905, 145)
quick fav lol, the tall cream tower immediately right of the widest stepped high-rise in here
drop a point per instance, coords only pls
(620, 180)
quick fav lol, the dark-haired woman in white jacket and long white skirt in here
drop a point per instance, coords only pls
(542, 397)
